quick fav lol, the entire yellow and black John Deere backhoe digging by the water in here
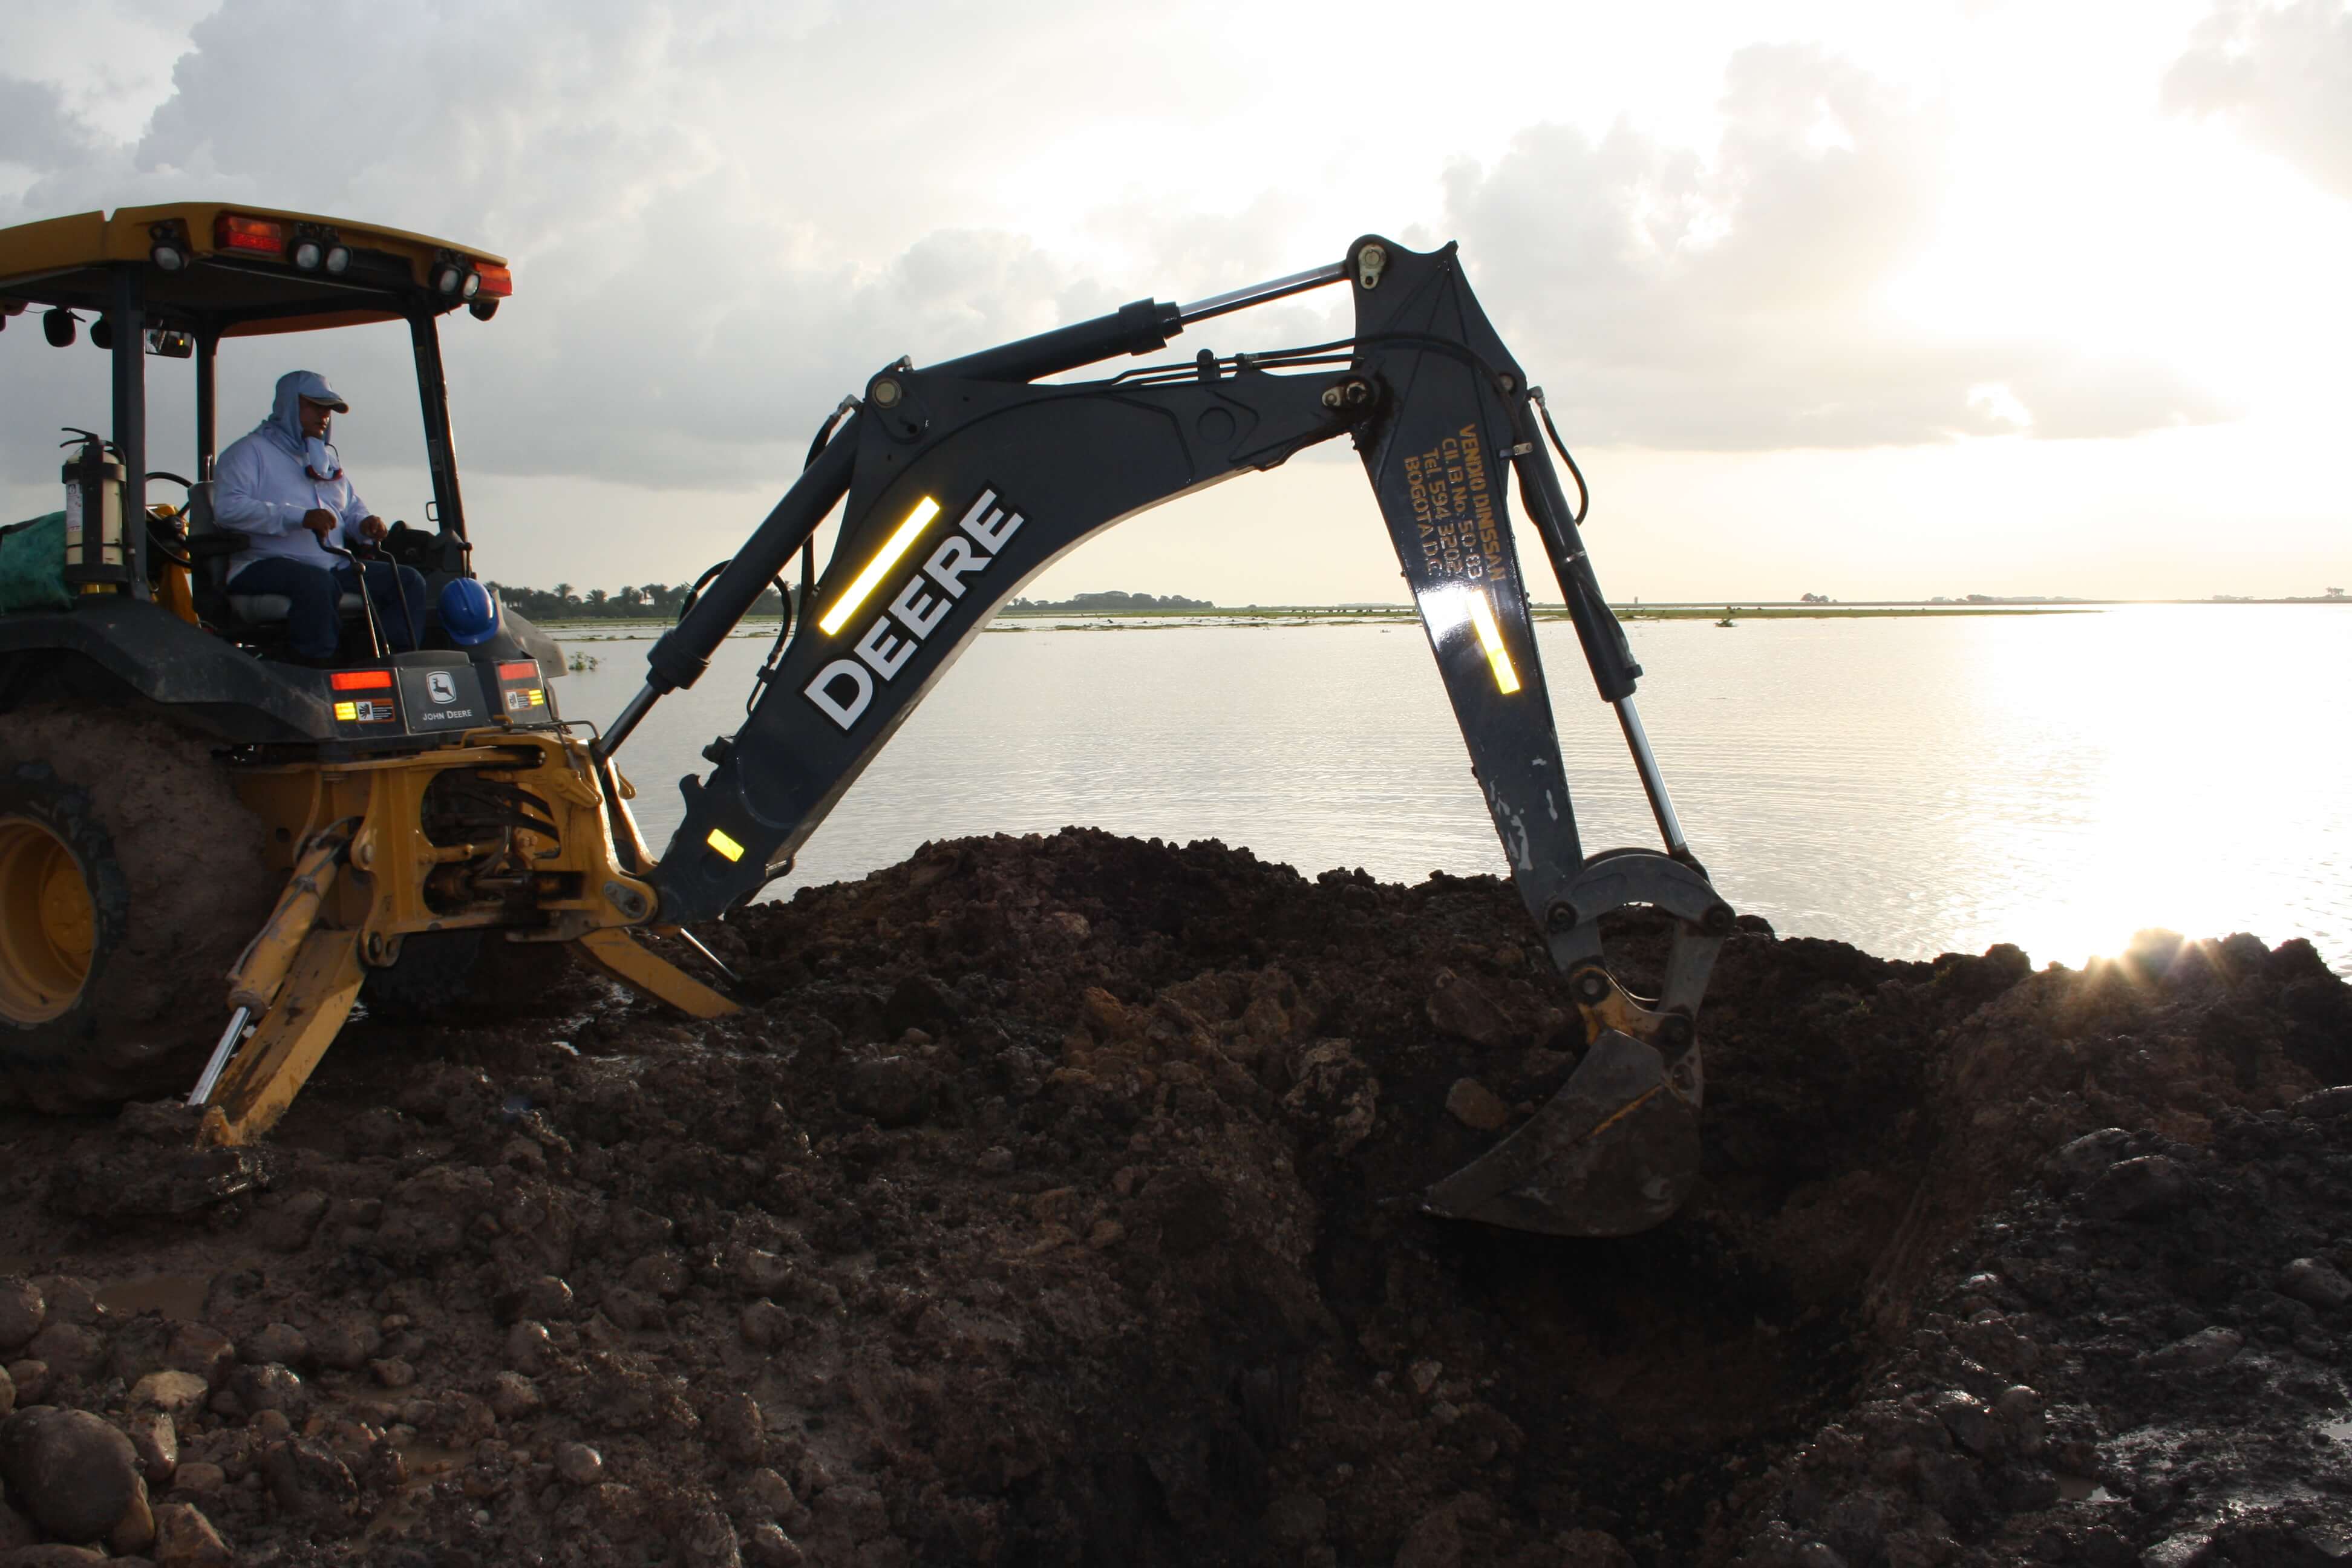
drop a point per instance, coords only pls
(192, 826)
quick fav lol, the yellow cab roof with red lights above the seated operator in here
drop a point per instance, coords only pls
(239, 269)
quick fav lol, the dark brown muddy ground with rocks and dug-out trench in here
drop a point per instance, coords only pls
(1053, 1202)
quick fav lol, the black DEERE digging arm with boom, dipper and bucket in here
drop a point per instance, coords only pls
(965, 481)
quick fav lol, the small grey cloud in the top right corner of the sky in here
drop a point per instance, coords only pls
(2283, 76)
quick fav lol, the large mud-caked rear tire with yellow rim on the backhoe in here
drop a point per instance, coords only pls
(131, 880)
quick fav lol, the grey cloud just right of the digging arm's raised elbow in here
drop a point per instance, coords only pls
(1742, 300)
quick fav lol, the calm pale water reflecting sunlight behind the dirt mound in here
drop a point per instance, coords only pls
(1909, 786)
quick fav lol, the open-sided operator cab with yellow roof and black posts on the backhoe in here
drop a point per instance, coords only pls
(175, 283)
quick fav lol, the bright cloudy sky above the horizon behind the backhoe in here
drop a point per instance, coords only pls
(1829, 297)
